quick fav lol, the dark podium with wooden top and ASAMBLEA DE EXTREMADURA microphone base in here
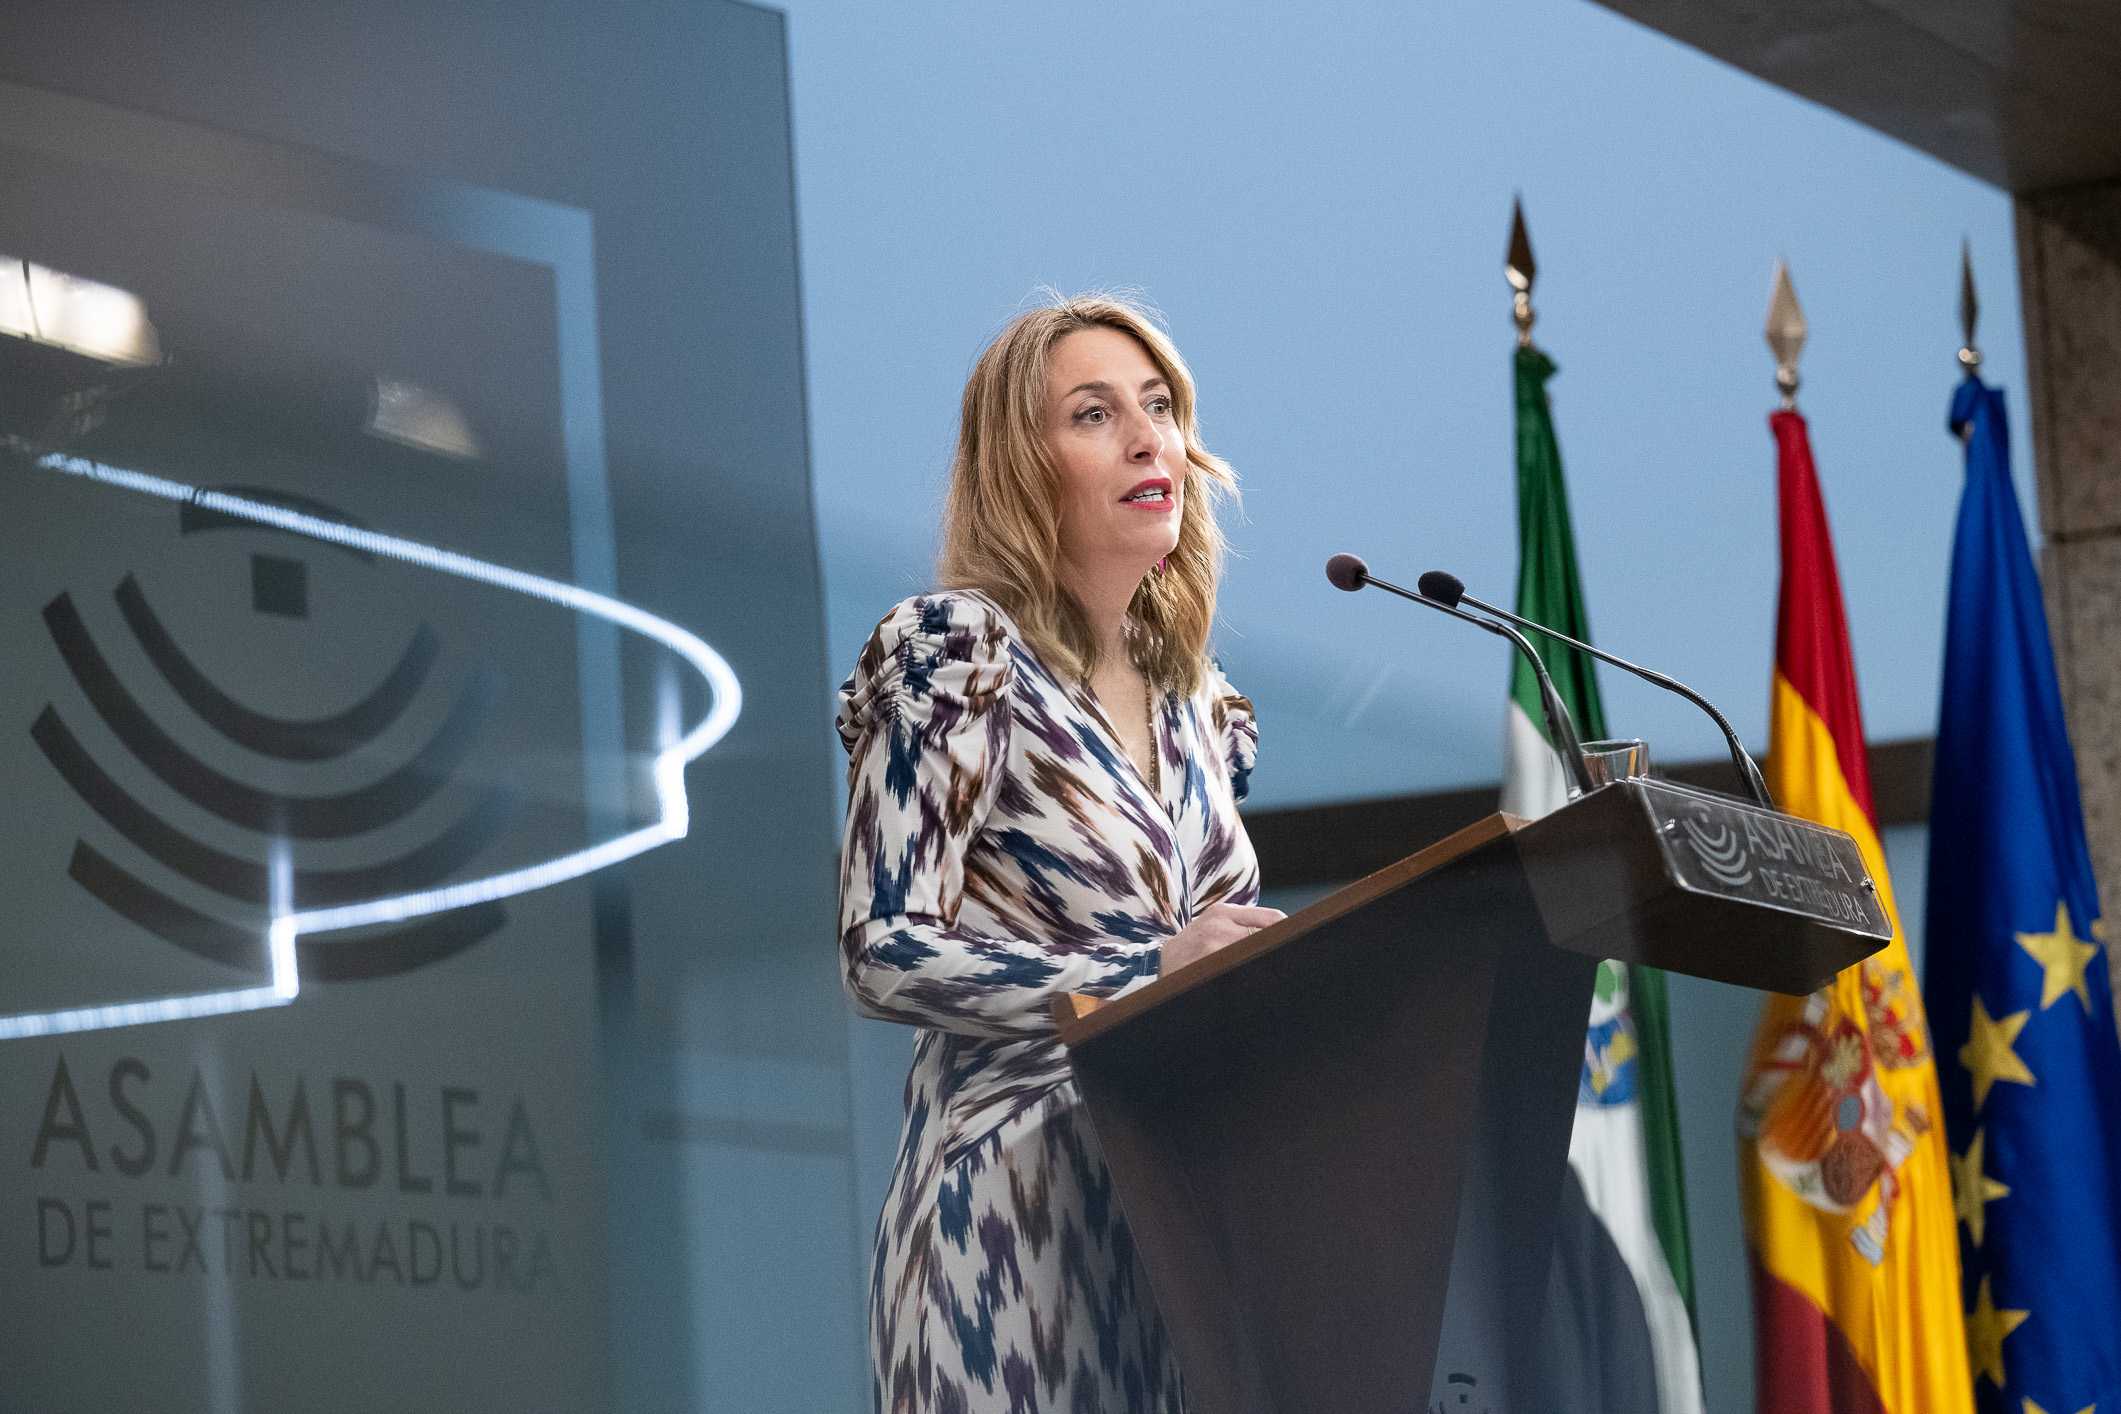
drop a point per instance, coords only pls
(1342, 1127)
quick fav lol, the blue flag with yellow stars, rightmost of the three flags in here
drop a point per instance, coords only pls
(2018, 980)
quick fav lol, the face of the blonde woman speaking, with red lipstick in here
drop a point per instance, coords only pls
(1117, 446)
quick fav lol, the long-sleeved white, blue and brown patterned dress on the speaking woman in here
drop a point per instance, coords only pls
(1000, 853)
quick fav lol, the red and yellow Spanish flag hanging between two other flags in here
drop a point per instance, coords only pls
(1842, 1148)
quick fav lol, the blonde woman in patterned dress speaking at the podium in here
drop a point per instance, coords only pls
(1042, 800)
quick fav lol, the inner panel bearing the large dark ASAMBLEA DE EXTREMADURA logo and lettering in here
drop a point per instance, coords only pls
(203, 718)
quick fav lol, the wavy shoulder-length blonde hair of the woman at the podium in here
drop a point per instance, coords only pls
(1002, 523)
